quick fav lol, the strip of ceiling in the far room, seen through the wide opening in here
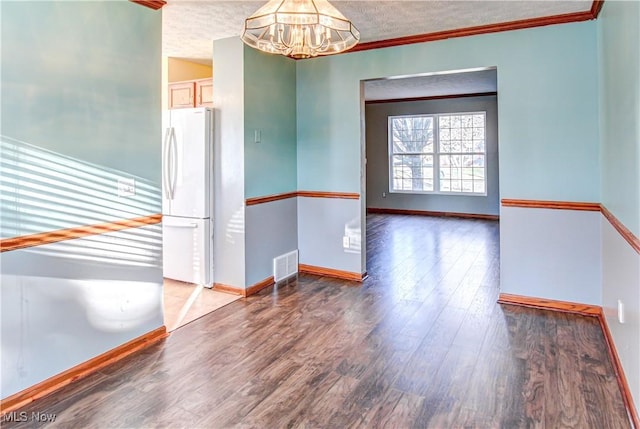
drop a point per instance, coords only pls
(450, 83)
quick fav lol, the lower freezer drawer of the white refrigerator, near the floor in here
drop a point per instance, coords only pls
(187, 254)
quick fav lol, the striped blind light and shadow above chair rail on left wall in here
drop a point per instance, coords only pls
(44, 191)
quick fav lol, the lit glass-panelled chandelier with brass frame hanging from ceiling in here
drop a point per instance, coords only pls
(299, 29)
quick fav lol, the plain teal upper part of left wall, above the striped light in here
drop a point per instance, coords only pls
(93, 95)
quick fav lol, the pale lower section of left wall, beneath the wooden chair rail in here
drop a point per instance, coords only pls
(65, 303)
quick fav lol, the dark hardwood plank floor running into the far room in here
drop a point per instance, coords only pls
(421, 343)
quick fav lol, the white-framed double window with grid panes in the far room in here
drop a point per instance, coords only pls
(443, 153)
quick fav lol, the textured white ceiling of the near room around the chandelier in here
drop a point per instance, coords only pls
(190, 26)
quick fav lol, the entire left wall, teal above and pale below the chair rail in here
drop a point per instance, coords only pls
(80, 107)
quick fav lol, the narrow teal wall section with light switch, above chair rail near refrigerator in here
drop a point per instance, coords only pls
(270, 108)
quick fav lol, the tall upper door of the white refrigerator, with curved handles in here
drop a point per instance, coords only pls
(187, 163)
